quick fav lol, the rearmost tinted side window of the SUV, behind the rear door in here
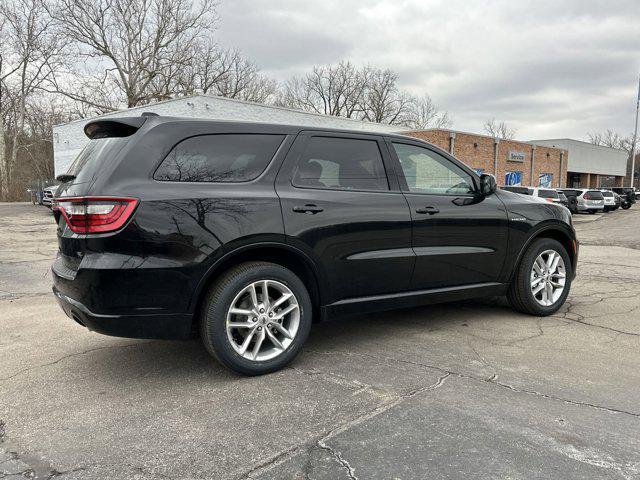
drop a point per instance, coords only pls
(219, 158)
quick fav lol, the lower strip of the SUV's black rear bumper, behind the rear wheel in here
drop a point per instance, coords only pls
(172, 326)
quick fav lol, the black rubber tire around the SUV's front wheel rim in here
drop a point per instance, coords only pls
(520, 296)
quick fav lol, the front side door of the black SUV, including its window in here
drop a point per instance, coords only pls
(459, 236)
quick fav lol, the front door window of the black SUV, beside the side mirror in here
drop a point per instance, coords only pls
(429, 172)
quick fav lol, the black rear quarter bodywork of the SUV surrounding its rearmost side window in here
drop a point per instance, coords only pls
(177, 233)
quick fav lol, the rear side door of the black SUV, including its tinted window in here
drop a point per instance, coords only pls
(342, 207)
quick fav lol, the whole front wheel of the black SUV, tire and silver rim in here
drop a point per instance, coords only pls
(542, 280)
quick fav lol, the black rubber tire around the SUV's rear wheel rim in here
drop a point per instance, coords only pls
(218, 301)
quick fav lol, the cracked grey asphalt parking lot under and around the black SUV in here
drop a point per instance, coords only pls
(466, 390)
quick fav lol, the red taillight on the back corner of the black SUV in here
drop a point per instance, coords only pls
(95, 214)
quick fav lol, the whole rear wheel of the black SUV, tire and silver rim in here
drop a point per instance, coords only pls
(256, 318)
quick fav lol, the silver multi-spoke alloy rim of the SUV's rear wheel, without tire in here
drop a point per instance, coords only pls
(263, 320)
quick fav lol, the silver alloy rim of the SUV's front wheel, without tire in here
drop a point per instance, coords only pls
(548, 277)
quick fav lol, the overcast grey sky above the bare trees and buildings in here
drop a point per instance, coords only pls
(548, 68)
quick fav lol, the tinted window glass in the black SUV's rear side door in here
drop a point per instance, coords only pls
(341, 164)
